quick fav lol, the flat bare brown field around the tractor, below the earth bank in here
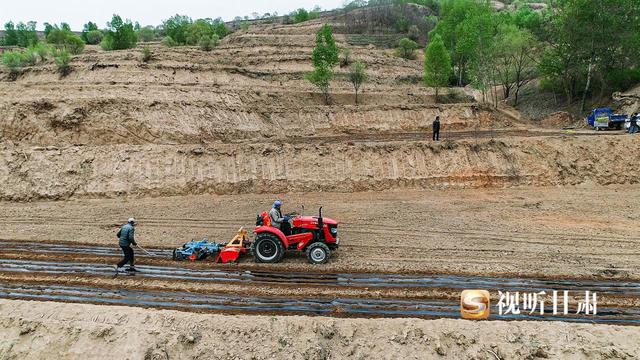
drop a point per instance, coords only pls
(587, 232)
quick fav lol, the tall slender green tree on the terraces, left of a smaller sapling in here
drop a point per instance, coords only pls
(325, 58)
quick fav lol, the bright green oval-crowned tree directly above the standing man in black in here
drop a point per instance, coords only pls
(437, 64)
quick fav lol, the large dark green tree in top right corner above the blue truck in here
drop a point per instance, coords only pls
(587, 41)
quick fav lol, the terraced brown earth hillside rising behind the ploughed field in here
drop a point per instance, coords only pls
(242, 119)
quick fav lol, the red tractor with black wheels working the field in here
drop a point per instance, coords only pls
(316, 236)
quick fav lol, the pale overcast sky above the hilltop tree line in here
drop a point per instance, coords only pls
(147, 12)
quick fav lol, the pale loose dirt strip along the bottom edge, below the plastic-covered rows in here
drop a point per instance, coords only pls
(46, 330)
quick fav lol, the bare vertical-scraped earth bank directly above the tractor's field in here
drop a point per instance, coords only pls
(109, 171)
